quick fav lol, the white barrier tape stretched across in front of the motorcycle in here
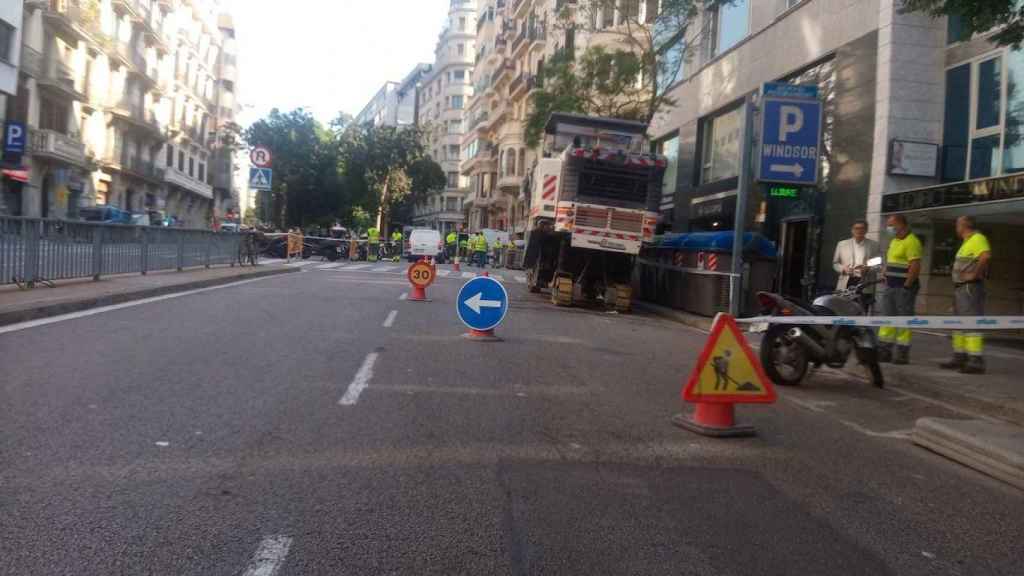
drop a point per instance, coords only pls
(972, 323)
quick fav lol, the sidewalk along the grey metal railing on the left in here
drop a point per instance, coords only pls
(75, 296)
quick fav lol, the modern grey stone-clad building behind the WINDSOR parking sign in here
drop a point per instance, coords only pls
(919, 120)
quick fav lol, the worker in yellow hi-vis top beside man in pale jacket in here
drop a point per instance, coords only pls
(903, 274)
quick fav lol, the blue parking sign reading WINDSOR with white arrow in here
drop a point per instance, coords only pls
(791, 141)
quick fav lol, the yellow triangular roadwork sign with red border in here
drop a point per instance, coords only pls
(729, 372)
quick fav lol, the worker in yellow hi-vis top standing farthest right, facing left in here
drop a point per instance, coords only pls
(970, 270)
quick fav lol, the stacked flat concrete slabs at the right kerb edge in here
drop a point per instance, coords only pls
(993, 448)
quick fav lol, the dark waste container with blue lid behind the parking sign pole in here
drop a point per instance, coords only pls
(708, 290)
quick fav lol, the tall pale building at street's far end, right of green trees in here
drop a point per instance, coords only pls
(444, 95)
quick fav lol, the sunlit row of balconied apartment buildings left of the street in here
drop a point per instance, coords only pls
(125, 101)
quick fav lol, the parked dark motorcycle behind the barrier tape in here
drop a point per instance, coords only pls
(789, 351)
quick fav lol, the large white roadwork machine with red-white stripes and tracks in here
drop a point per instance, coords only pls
(593, 202)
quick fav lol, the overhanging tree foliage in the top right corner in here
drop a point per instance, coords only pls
(978, 16)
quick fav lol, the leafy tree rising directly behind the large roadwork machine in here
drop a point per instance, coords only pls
(629, 71)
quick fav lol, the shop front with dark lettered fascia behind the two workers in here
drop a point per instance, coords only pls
(998, 205)
